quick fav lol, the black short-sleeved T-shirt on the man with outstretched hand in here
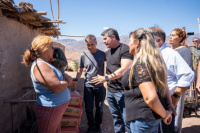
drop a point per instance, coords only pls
(113, 58)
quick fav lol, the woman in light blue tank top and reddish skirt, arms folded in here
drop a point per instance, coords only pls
(49, 84)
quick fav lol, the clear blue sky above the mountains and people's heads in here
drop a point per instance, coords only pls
(85, 17)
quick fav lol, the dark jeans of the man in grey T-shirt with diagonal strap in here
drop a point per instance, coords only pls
(91, 93)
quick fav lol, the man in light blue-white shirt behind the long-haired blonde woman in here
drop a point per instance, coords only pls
(180, 77)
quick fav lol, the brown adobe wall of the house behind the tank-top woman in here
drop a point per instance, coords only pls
(14, 39)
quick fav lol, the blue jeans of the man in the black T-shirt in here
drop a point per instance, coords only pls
(117, 109)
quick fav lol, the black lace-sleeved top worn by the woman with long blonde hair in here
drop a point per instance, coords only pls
(136, 108)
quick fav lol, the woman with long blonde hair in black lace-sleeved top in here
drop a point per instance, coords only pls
(145, 85)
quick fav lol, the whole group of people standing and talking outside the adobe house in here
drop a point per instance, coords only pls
(144, 83)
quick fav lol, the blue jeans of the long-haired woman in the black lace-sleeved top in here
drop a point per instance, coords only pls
(144, 126)
